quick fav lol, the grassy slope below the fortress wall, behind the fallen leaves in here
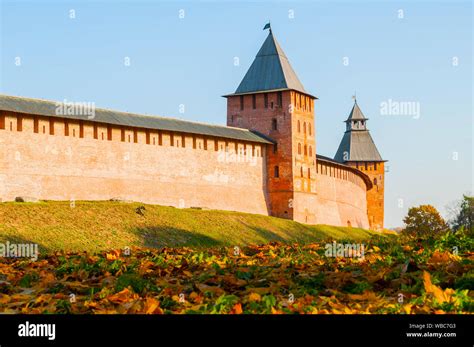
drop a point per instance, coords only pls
(96, 226)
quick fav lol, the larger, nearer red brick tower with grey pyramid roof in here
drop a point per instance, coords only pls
(272, 101)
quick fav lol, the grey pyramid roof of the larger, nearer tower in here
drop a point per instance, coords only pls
(270, 70)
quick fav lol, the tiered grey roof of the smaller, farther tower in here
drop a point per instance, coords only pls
(357, 145)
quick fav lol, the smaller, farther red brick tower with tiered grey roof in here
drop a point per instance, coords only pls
(357, 149)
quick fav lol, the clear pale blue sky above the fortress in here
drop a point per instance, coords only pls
(190, 61)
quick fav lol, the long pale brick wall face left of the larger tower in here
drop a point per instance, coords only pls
(64, 160)
